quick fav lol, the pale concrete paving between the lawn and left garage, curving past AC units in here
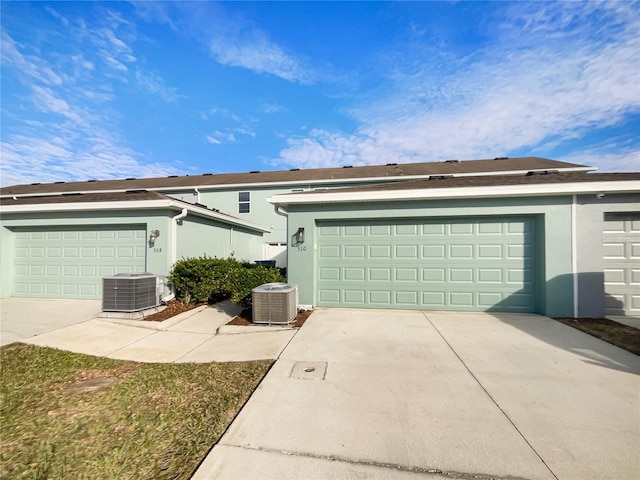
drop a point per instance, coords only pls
(199, 335)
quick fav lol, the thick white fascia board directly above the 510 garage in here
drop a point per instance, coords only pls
(553, 189)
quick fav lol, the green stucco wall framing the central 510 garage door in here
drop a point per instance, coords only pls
(555, 294)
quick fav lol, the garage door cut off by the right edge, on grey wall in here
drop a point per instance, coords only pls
(622, 264)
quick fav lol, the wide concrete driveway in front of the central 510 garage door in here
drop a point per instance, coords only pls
(391, 394)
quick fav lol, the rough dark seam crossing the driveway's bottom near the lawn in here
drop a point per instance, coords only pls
(392, 466)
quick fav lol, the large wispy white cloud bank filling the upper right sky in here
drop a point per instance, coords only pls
(554, 87)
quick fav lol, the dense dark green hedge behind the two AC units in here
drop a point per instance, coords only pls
(206, 279)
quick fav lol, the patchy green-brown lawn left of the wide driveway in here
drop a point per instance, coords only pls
(154, 421)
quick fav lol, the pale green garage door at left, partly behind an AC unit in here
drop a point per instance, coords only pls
(70, 262)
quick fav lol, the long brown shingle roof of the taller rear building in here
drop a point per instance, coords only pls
(391, 170)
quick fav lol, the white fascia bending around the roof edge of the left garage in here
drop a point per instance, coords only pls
(132, 205)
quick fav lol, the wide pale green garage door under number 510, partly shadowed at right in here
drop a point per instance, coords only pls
(444, 264)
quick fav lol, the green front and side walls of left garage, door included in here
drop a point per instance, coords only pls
(32, 268)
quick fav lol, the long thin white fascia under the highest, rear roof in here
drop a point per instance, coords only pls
(298, 183)
